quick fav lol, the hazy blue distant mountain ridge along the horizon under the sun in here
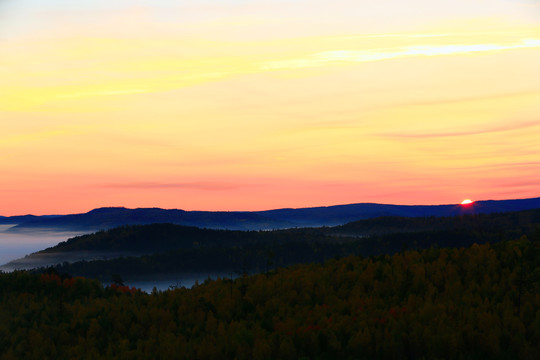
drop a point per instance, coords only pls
(106, 218)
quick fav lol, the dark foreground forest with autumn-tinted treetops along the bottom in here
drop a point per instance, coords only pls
(475, 302)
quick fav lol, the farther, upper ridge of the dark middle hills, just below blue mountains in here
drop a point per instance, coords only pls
(161, 237)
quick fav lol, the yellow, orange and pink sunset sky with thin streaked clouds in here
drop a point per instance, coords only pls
(262, 104)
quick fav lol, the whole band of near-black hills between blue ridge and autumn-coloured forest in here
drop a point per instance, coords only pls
(175, 249)
